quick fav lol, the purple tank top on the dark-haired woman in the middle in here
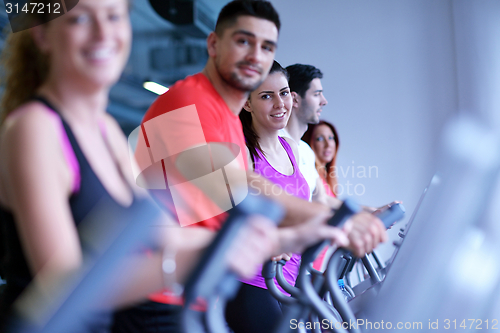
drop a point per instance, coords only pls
(294, 184)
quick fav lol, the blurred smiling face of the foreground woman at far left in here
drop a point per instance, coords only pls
(91, 42)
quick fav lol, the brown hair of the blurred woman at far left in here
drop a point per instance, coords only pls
(25, 69)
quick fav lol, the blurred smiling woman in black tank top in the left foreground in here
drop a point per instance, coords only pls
(62, 154)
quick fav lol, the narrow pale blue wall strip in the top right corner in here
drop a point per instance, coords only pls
(477, 35)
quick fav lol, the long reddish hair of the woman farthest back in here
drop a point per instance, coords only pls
(329, 172)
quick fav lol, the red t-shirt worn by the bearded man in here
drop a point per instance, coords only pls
(218, 124)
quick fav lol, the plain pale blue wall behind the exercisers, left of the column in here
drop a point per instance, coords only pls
(390, 79)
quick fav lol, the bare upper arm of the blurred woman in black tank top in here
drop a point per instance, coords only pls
(37, 185)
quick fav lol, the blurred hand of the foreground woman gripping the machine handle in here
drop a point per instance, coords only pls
(256, 242)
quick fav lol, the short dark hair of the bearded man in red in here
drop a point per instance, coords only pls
(256, 8)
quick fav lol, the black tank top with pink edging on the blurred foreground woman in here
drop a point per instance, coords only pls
(15, 267)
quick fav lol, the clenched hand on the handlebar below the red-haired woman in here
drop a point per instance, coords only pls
(365, 231)
